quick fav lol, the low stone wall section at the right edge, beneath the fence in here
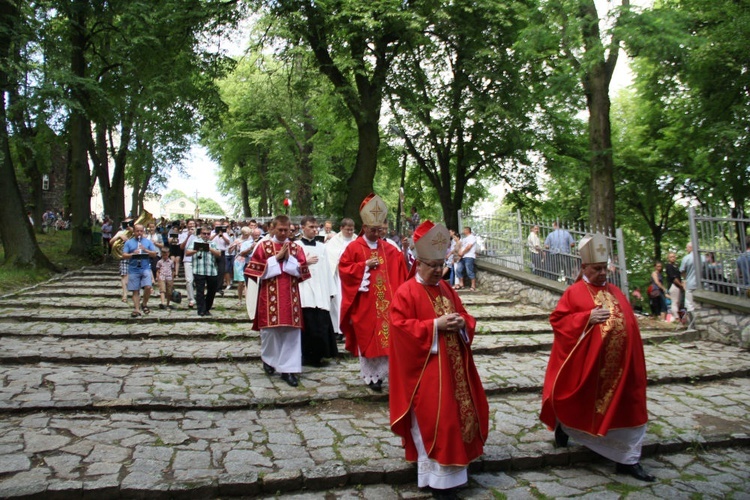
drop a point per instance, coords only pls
(722, 318)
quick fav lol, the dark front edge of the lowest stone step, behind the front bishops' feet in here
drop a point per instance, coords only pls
(337, 474)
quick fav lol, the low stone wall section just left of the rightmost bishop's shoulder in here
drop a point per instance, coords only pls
(517, 285)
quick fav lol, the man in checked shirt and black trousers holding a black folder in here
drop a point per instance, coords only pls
(205, 271)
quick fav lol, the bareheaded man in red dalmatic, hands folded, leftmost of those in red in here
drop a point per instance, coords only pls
(278, 265)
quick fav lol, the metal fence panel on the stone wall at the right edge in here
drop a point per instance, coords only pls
(720, 253)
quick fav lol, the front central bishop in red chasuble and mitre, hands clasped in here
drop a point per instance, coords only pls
(437, 402)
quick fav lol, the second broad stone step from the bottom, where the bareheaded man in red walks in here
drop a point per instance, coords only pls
(173, 378)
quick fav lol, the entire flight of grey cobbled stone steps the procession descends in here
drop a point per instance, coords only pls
(95, 404)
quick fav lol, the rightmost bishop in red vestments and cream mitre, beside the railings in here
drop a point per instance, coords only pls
(595, 386)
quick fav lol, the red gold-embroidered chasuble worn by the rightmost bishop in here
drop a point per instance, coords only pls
(598, 383)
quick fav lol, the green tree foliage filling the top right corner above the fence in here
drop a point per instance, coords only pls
(699, 49)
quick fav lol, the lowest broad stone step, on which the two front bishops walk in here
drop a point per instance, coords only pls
(191, 454)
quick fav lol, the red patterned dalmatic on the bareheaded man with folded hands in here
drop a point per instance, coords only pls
(278, 297)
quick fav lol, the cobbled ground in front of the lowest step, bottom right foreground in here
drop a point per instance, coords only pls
(720, 473)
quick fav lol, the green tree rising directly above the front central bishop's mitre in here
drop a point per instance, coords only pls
(472, 122)
